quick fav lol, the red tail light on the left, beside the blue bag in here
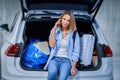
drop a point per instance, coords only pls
(12, 50)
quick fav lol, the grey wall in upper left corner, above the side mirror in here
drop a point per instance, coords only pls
(8, 9)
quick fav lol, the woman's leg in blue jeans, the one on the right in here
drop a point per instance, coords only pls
(65, 68)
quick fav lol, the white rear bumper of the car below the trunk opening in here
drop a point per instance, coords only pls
(11, 70)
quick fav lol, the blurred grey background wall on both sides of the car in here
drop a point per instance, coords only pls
(108, 18)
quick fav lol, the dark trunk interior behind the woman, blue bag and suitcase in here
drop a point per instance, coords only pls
(40, 28)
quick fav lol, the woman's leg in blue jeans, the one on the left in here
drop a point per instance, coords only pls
(52, 69)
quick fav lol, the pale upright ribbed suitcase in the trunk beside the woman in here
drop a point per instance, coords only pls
(86, 51)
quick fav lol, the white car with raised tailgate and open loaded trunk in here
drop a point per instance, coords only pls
(35, 20)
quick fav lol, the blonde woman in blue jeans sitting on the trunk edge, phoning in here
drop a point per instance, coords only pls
(63, 57)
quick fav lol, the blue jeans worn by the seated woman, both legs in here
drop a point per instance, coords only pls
(59, 66)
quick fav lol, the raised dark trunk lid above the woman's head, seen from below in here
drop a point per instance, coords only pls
(88, 6)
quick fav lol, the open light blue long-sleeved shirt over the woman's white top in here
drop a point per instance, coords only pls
(73, 54)
